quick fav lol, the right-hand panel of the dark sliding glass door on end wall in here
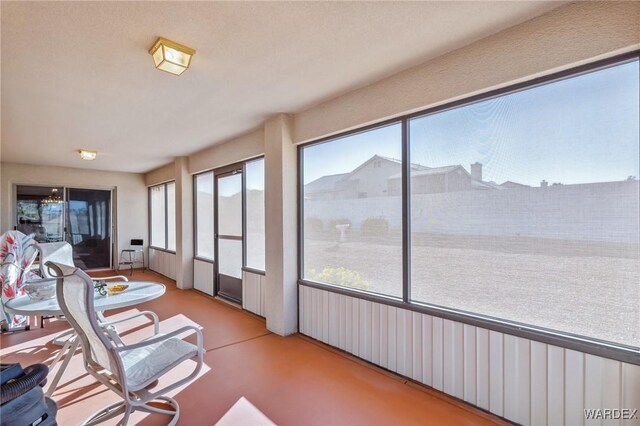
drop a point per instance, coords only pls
(89, 227)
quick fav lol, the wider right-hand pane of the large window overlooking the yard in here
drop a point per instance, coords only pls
(528, 206)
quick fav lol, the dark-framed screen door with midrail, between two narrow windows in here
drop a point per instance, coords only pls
(229, 235)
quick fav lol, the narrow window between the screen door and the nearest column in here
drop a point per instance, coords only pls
(254, 214)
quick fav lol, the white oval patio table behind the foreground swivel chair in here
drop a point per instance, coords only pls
(138, 292)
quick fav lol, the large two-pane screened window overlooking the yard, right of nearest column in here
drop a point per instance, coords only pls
(522, 208)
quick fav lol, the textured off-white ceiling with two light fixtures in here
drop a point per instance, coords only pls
(78, 74)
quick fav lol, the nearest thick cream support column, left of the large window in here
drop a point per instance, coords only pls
(281, 292)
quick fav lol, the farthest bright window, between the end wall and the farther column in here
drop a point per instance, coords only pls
(162, 210)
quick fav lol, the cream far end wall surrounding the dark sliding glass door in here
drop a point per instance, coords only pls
(130, 206)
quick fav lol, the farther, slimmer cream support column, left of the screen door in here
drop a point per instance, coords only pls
(184, 224)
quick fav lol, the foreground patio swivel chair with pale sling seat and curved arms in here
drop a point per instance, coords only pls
(131, 371)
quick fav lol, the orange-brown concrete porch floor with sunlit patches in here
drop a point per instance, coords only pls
(293, 380)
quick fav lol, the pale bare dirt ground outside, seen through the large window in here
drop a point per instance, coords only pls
(589, 289)
